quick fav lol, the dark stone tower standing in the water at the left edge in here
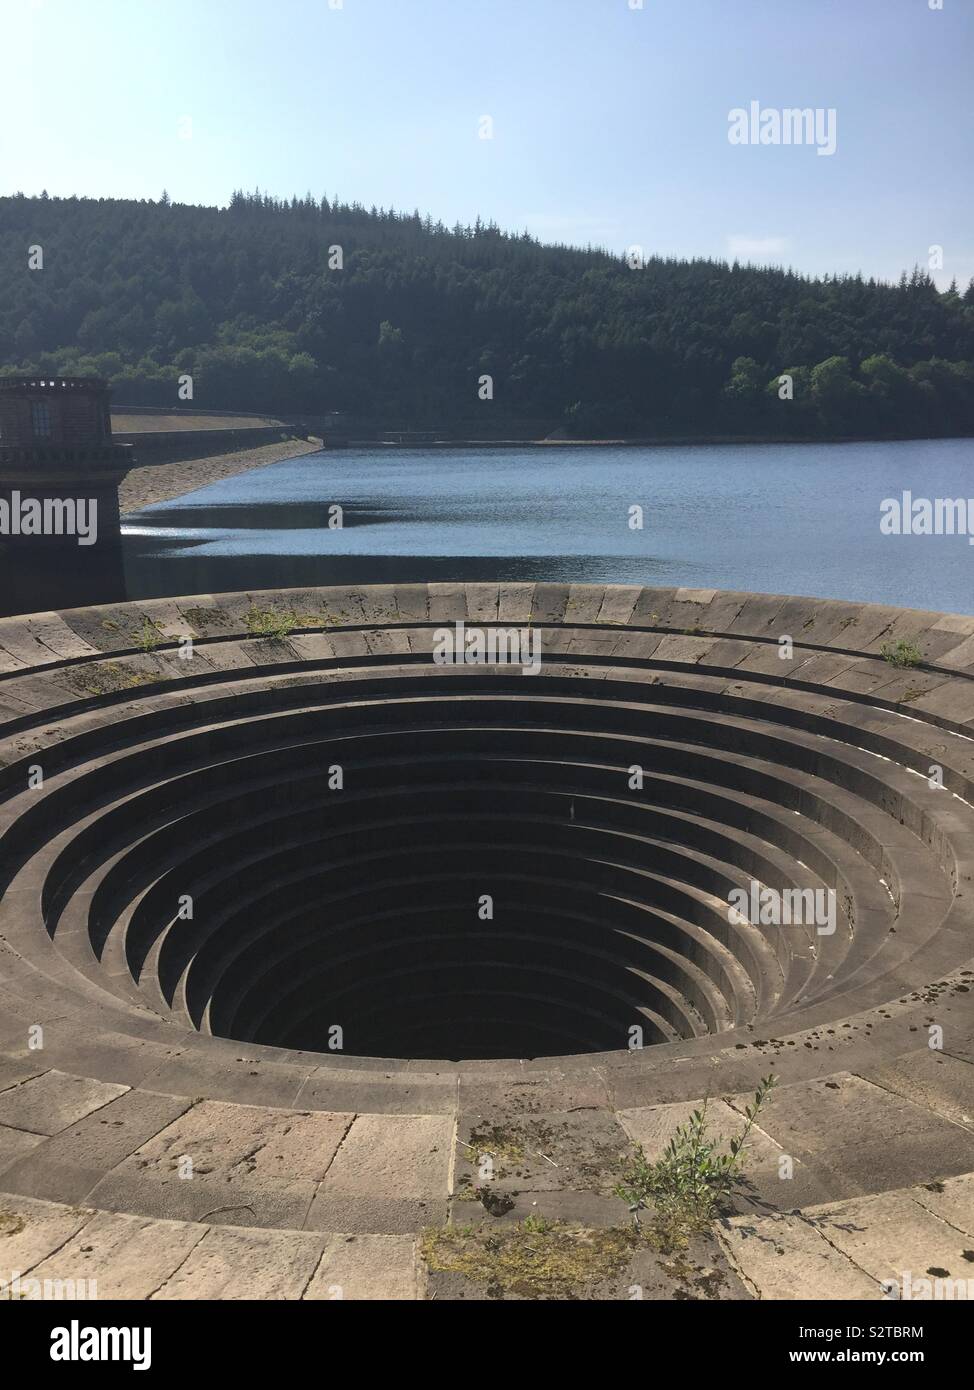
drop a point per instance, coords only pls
(60, 537)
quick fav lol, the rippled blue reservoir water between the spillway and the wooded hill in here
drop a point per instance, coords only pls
(786, 519)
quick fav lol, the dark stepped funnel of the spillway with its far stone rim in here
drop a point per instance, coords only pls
(279, 819)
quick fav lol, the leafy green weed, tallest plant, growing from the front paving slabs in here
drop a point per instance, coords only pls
(687, 1186)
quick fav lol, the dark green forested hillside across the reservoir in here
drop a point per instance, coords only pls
(252, 302)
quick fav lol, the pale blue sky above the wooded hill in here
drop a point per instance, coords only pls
(611, 124)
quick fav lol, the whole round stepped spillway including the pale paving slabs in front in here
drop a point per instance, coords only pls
(290, 894)
